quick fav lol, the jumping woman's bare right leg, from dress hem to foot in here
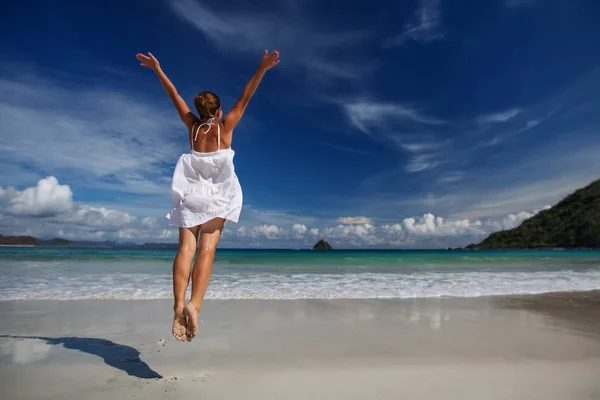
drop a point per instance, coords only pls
(210, 233)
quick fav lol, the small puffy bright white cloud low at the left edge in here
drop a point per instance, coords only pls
(47, 198)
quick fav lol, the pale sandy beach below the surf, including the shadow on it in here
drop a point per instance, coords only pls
(519, 347)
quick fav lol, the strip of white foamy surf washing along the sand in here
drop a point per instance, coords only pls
(304, 286)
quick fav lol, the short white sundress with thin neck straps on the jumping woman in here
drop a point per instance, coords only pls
(205, 186)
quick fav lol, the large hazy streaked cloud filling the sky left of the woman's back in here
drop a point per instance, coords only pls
(105, 138)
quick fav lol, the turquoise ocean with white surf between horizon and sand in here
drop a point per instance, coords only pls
(98, 273)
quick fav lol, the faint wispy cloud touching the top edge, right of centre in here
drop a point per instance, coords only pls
(426, 27)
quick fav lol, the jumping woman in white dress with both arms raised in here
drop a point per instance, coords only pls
(205, 189)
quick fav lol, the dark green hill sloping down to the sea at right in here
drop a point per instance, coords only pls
(572, 223)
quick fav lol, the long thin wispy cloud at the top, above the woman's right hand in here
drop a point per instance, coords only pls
(326, 54)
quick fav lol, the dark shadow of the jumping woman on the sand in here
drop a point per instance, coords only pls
(116, 355)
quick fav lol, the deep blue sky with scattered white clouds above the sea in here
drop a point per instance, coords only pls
(413, 124)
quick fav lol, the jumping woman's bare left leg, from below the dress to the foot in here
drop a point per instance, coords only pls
(188, 238)
